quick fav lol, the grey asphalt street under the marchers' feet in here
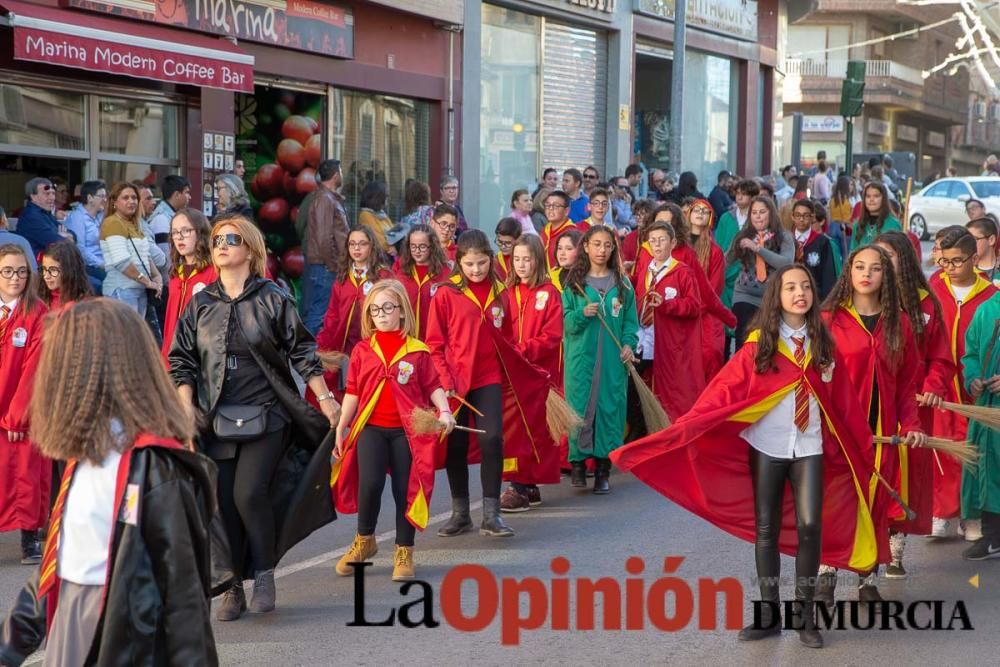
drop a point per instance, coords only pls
(597, 535)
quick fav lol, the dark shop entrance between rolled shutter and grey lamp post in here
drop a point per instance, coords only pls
(653, 79)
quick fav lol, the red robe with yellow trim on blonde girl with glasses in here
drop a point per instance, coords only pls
(412, 378)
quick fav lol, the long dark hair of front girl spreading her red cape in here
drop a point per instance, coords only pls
(768, 321)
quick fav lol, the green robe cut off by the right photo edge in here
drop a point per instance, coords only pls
(981, 485)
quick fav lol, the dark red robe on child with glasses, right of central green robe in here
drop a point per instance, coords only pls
(678, 375)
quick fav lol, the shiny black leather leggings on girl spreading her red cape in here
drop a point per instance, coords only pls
(806, 478)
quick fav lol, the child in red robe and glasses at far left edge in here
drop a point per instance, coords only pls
(25, 475)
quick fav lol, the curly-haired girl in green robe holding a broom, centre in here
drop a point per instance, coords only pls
(600, 325)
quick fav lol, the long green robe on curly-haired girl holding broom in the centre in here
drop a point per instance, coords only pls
(595, 379)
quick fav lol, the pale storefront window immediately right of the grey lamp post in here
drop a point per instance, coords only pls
(710, 116)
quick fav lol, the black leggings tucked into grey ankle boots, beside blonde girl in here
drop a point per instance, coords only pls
(489, 401)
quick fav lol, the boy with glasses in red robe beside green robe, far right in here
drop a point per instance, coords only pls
(961, 289)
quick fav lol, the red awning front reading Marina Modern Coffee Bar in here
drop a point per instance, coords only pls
(135, 56)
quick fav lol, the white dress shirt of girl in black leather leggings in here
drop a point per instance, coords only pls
(775, 433)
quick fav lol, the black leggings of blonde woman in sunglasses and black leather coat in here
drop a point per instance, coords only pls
(245, 501)
